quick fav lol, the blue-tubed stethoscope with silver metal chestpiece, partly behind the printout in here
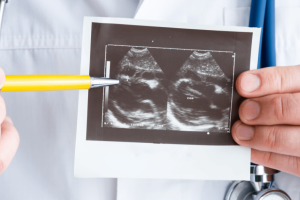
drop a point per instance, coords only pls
(260, 186)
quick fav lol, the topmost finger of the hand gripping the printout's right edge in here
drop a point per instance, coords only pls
(272, 80)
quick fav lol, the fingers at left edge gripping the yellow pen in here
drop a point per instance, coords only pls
(9, 137)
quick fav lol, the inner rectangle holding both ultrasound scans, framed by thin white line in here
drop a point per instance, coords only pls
(168, 89)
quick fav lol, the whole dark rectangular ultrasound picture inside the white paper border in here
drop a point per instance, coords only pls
(176, 84)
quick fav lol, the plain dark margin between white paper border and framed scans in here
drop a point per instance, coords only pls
(104, 34)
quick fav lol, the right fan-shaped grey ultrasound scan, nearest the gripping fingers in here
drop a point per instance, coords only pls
(199, 99)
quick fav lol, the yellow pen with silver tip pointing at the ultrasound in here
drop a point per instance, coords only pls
(22, 83)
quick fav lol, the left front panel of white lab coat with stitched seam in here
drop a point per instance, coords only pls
(44, 37)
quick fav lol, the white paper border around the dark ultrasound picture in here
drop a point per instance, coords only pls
(146, 160)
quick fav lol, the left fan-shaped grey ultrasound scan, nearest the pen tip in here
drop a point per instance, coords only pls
(140, 100)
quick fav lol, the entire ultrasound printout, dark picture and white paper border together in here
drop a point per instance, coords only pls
(172, 113)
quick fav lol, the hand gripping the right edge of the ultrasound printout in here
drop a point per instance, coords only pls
(270, 118)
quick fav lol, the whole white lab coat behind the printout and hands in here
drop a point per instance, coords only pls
(44, 37)
